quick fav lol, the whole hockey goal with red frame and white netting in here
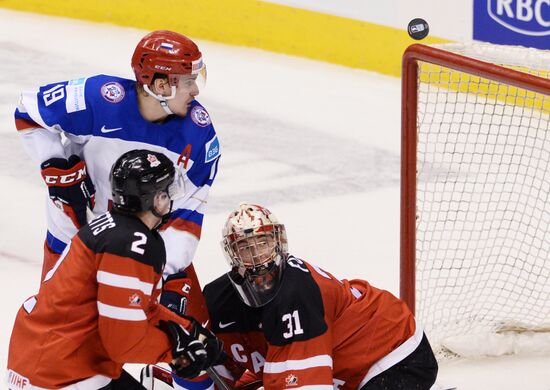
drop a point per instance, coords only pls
(475, 203)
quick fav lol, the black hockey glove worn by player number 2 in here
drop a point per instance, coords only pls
(189, 353)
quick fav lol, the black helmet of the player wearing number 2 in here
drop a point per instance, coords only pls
(137, 176)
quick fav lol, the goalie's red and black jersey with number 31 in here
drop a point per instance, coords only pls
(318, 331)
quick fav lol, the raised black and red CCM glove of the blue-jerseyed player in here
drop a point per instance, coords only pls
(70, 187)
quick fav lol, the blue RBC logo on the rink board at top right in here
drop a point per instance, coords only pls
(527, 17)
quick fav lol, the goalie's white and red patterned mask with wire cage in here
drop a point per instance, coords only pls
(255, 245)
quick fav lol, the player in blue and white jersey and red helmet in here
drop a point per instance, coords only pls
(75, 130)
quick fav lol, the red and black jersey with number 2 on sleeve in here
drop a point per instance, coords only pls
(95, 311)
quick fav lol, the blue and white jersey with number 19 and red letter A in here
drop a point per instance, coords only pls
(98, 118)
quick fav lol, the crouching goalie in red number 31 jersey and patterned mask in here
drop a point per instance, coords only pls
(296, 325)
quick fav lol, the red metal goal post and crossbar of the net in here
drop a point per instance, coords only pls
(409, 100)
